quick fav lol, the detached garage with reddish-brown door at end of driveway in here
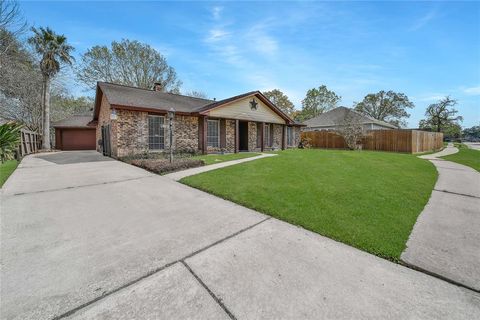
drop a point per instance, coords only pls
(75, 133)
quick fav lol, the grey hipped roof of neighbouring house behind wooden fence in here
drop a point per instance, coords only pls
(335, 117)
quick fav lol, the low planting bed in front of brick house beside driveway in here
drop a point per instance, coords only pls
(163, 166)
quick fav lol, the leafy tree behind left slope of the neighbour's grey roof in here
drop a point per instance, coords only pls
(317, 101)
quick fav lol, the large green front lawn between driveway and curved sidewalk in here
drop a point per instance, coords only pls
(369, 200)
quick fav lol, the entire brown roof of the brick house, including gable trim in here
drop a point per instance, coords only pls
(126, 97)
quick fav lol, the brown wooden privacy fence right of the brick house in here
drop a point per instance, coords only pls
(410, 141)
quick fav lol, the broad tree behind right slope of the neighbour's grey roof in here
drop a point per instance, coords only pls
(387, 106)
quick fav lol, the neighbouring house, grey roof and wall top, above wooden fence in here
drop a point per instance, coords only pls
(331, 120)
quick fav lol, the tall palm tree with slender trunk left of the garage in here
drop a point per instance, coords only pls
(53, 50)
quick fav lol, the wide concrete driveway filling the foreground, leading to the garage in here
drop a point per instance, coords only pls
(99, 239)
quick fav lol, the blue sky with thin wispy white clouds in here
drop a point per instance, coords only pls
(426, 50)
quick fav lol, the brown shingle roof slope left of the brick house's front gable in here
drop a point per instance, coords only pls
(137, 97)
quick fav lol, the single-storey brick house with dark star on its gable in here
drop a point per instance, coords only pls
(133, 121)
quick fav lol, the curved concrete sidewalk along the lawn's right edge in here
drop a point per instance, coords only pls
(446, 237)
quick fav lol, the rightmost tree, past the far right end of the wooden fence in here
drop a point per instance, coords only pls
(441, 115)
